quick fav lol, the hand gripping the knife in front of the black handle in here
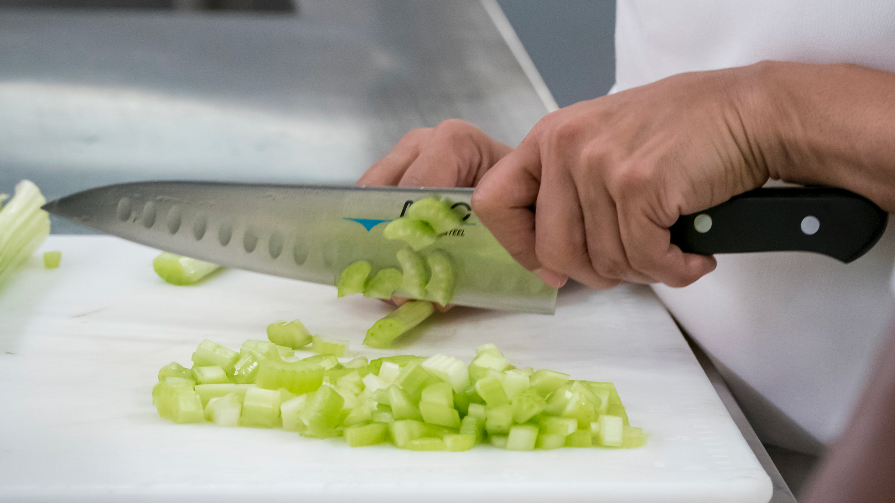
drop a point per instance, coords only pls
(609, 176)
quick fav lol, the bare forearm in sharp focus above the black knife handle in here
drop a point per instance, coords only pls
(829, 125)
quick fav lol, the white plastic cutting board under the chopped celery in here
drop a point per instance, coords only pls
(80, 347)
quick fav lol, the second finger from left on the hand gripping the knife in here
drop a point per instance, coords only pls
(561, 240)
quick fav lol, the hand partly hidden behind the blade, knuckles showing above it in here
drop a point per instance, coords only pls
(453, 154)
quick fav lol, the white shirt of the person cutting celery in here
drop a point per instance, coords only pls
(793, 334)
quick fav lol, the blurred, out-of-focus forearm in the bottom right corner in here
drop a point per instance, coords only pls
(861, 466)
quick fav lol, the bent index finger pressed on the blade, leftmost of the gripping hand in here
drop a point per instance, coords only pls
(503, 202)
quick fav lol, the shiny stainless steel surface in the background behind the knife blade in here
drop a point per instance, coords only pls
(95, 97)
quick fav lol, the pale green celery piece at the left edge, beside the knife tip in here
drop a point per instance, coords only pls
(23, 227)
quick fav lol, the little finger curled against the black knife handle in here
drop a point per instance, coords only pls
(649, 248)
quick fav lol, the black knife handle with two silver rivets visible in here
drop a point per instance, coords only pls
(834, 222)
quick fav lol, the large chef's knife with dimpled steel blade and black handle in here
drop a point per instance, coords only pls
(312, 232)
